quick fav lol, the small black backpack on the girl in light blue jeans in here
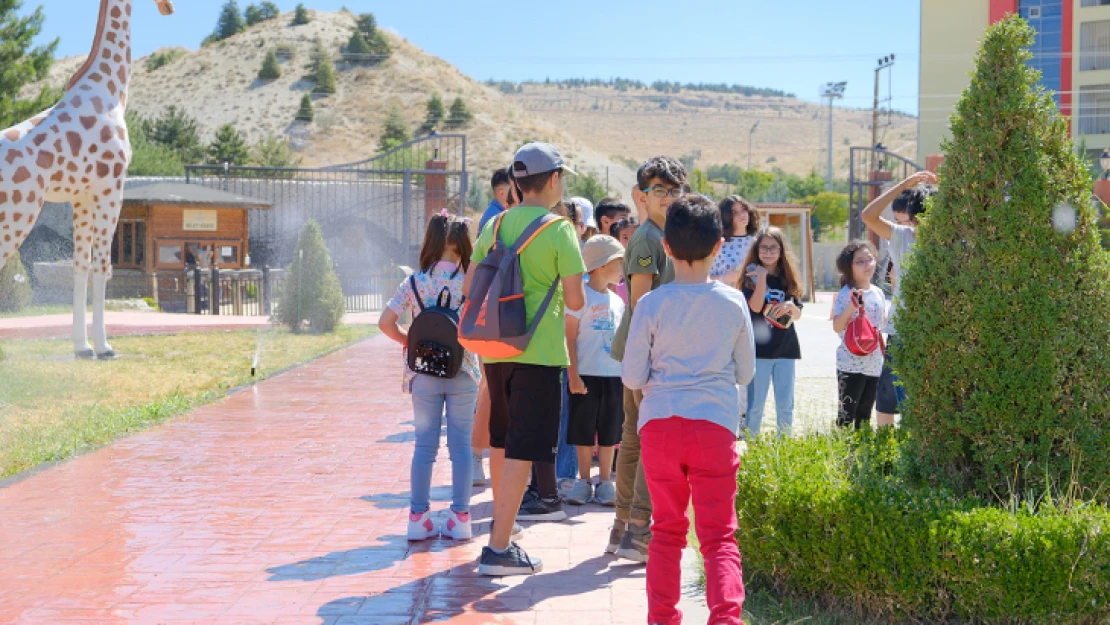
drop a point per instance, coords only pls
(433, 337)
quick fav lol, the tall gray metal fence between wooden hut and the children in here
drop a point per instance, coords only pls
(372, 213)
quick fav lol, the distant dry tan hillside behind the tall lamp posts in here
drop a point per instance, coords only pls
(635, 125)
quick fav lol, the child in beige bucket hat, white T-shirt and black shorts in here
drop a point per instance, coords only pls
(594, 378)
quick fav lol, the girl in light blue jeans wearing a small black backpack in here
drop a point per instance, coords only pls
(438, 392)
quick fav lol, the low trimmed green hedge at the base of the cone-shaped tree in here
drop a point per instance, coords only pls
(830, 518)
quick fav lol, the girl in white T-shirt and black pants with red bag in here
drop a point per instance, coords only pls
(859, 312)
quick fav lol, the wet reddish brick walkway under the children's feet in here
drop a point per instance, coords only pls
(285, 505)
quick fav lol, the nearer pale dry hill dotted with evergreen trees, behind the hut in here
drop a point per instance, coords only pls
(218, 85)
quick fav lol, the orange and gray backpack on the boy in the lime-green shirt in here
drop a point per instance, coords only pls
(495, 324)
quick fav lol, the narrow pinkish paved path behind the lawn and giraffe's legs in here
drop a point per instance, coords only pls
(123, 324)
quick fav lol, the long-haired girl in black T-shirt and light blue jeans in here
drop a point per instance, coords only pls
(773, 289)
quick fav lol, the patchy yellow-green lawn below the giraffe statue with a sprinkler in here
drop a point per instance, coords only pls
(54, 408)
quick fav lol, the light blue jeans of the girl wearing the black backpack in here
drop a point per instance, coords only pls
(432, 399)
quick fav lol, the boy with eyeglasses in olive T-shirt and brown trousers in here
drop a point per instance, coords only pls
(647, 267)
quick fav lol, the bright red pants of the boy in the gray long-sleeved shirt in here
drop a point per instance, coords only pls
(687, 459)
